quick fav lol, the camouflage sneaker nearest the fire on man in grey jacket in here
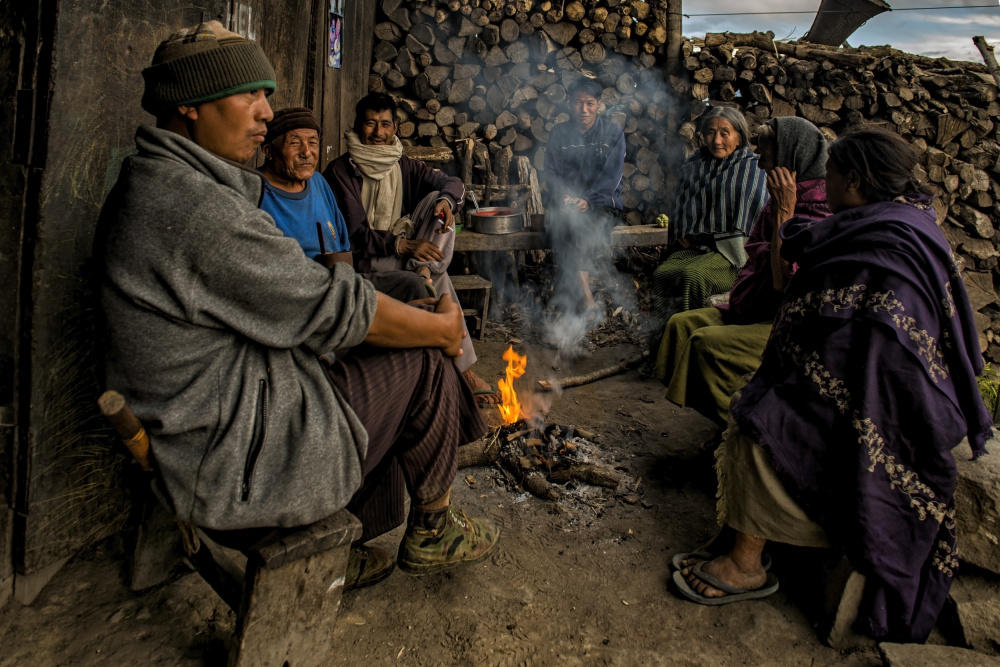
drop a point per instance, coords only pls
(445, 538)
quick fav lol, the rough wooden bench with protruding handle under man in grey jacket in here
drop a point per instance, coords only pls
(283, 584)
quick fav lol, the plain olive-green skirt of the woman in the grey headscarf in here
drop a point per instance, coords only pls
(704, 361)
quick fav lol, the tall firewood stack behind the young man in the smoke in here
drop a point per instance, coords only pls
(497, 71)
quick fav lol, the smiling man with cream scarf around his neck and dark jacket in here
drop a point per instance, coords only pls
(400, 213)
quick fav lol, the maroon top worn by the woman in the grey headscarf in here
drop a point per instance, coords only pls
(753, 297)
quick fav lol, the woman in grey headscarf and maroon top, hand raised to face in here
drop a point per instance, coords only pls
(706, 353)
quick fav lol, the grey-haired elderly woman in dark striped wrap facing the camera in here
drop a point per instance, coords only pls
(720, 193)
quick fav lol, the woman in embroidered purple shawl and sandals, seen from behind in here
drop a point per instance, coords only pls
(844, 435)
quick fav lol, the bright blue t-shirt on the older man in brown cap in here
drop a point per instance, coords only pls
(296, 214)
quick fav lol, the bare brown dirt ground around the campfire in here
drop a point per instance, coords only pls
(581, 581)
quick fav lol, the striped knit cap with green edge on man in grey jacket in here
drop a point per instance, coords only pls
(204, 63)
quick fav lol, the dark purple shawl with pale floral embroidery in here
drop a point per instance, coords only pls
(866, 385)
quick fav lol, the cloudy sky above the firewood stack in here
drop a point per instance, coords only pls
(945, 32)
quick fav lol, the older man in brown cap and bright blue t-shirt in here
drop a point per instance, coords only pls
(302, 204)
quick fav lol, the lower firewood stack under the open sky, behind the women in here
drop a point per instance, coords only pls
(948, 110)
